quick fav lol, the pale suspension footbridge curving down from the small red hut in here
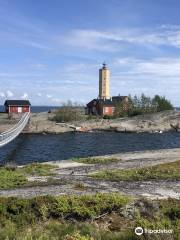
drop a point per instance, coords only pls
(12, 133)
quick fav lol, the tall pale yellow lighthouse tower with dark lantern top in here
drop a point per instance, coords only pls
(104, 77)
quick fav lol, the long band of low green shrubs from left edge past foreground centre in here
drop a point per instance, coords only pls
(46, 207)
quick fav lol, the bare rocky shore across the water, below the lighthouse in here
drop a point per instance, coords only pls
(42, 123)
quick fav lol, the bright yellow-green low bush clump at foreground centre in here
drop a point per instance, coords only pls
(88, 206)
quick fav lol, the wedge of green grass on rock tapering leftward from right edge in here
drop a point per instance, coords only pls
(161, 171)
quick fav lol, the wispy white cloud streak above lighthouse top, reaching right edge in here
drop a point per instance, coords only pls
(92, 39)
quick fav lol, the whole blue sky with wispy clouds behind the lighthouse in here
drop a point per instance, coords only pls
(51, 50)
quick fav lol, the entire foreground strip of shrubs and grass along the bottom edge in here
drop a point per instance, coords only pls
(89, 217)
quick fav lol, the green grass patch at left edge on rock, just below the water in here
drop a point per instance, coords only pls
(13, 177)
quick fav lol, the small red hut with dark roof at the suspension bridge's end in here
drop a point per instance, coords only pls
(17, 106)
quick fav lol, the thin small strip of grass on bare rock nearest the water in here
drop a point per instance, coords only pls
(90, 160)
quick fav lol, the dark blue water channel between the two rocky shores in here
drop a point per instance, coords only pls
(39, 148)
